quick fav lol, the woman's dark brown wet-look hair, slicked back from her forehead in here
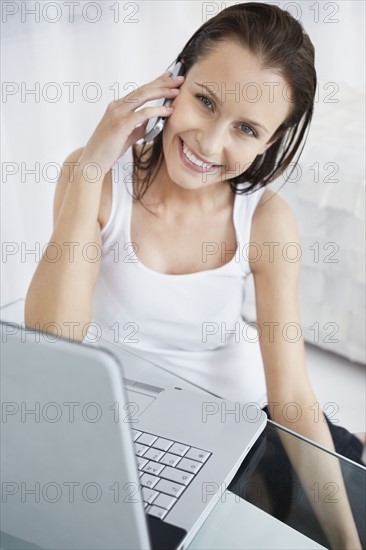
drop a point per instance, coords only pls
(281, 45)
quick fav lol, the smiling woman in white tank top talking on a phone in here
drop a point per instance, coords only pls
(238, 117)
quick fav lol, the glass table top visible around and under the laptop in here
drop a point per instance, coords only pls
(265, 480)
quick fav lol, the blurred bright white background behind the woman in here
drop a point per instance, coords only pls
(63, 62)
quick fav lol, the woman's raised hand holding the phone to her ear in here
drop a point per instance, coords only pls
(121, 125)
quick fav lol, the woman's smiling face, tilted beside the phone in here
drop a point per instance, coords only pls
(229, 122)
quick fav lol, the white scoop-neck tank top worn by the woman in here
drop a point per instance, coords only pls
(190, 323)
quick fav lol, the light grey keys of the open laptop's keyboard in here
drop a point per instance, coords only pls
(166, 469)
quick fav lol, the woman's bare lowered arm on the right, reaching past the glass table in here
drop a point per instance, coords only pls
(282, 347)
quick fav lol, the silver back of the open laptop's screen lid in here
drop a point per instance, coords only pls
(69, 473)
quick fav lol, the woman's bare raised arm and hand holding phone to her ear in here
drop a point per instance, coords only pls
(61, 292)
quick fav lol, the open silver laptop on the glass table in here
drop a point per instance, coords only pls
(92, 459)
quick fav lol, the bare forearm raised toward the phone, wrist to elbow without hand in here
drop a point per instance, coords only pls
(61, 291)
